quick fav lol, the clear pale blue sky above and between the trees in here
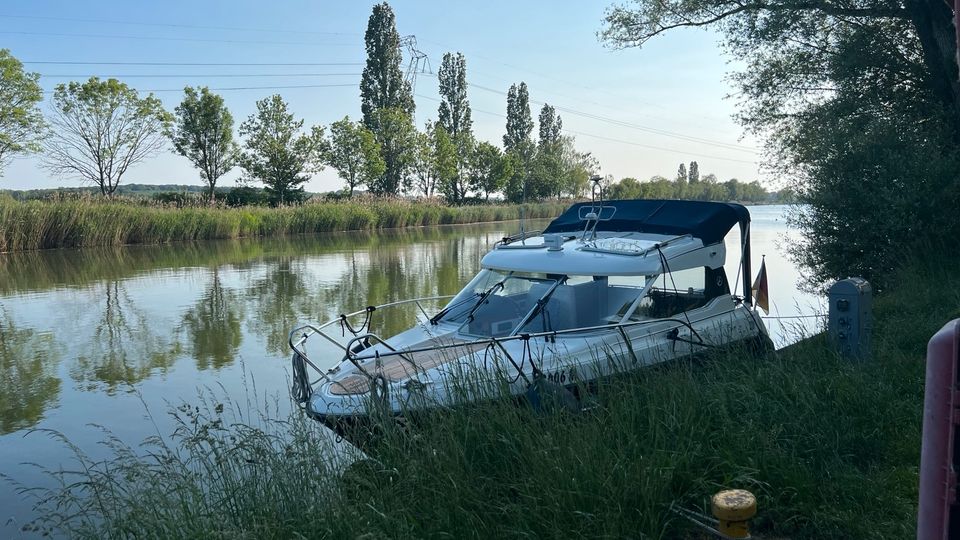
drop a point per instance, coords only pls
(674, 84)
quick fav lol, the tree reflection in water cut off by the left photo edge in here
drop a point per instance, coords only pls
(29, 385)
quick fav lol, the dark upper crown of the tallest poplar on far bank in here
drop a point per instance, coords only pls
(382, 85)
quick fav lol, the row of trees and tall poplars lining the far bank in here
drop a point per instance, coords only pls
(99, 129)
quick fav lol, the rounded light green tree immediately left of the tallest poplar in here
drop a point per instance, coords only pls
(354, 153)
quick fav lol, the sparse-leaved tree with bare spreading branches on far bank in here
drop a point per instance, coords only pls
(101, 129)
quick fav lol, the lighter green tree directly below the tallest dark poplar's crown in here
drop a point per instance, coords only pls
(396, 137)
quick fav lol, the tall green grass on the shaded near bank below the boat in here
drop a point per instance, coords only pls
(830, 447)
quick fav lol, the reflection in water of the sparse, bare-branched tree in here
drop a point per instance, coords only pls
(125, 347)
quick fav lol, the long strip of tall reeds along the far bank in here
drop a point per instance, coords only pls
(95, 222)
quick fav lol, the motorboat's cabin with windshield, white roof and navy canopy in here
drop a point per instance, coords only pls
(567, 279)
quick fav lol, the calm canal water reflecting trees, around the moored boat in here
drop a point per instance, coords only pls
(115, 337)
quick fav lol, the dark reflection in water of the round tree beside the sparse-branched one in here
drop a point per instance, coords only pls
(213, 325)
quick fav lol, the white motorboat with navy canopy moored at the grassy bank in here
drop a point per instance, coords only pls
(606, 288)
